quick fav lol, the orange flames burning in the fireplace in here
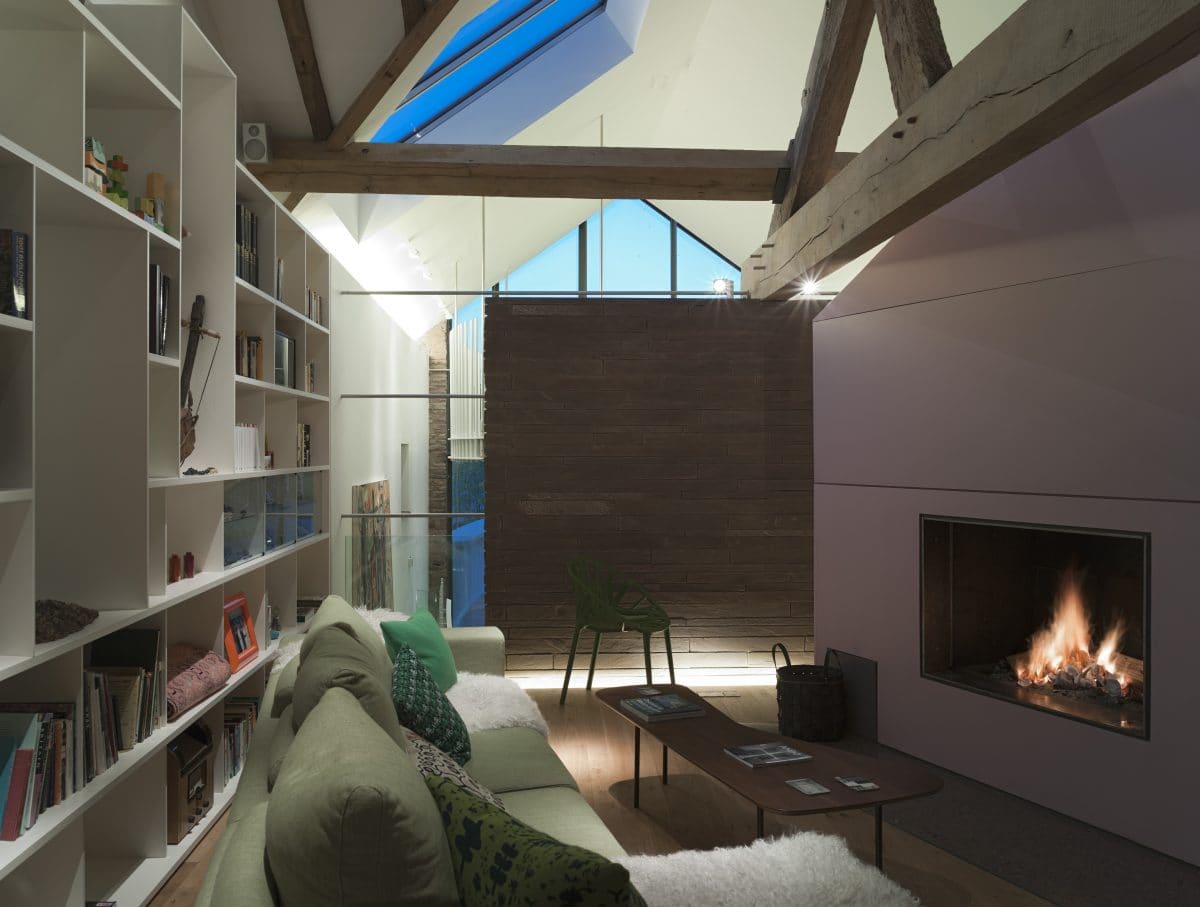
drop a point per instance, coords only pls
(1065, 646)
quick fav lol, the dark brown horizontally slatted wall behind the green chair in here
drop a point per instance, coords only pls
(674, 439)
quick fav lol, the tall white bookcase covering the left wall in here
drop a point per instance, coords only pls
(93, 498)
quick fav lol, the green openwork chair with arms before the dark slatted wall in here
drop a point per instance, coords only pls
(609, 603)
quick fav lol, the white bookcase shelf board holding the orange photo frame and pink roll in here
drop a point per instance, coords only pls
(56, 819)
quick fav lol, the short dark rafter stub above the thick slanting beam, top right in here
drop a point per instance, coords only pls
(914, 47)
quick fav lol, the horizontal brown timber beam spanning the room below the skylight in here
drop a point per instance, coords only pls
(524, 171)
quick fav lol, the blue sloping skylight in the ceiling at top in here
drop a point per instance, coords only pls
(485, 51)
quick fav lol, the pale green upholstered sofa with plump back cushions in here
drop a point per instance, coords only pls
(292, 839)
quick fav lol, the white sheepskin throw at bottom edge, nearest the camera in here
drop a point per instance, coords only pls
(802, 870)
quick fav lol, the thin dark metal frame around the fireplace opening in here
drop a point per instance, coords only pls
(1034, 701)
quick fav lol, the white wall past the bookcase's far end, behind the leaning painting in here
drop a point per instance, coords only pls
(373, 355)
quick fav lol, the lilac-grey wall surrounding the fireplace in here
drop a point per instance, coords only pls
(1029, 353)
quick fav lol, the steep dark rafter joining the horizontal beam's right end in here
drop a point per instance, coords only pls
(833, 71)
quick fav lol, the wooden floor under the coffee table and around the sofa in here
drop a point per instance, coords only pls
(694, 812)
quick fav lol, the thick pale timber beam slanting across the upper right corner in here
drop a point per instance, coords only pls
(1049, 68)
